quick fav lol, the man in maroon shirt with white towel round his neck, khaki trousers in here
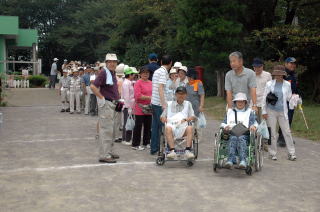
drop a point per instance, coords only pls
(108, 97)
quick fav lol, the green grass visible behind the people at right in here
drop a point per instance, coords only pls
(215, 107)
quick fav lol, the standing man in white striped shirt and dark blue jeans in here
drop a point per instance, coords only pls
(158, 100)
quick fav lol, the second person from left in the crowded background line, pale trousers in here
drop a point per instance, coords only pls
(75, 89)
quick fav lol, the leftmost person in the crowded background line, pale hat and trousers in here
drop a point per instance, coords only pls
(64, 91)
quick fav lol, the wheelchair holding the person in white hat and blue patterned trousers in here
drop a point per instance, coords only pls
(254, 151)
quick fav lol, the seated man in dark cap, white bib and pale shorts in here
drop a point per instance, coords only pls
(176, 117)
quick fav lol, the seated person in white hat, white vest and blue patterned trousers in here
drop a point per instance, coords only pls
(237, 123)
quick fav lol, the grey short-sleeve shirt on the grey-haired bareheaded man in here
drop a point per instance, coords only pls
(240, 83)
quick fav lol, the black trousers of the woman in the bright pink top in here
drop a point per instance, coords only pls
(145, 121)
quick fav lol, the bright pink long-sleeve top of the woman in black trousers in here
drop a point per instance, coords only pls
(142, 88)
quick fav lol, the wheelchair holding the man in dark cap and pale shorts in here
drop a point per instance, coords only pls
(179, 148)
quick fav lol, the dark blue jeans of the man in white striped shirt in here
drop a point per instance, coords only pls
(156, 127)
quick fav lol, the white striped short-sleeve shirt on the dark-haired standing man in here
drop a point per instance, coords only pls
(160, 76)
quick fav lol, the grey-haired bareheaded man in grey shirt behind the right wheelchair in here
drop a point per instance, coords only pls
(240, 79)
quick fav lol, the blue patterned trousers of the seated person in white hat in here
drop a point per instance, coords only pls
(238, 144)
